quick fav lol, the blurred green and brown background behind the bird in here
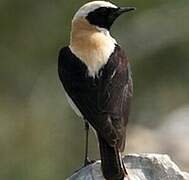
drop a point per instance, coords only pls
(40, 136)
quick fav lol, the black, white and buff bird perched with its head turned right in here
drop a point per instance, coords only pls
(97, 80)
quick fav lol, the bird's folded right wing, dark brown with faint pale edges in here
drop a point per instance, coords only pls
(115, 91)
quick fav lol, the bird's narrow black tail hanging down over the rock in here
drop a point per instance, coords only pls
(111, 162)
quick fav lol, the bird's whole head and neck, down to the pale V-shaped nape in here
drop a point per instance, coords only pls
(90, 39)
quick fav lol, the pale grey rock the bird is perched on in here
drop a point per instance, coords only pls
(139, 167)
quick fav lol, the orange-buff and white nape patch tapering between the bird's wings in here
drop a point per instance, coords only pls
(92, 45)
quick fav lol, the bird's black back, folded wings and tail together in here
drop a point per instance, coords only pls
(104, 101)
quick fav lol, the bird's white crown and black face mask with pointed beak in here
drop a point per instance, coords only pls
(100, 14)
